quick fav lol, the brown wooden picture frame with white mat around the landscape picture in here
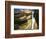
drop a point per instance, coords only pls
(23, 6)
